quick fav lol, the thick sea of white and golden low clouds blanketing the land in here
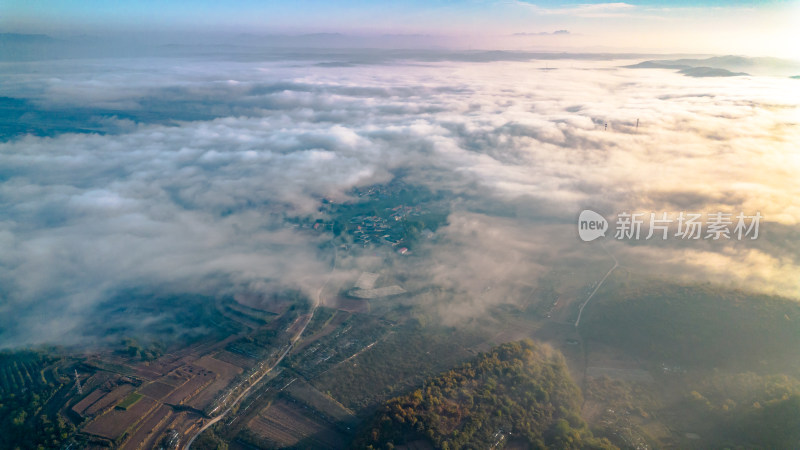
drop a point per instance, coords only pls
(181, 173)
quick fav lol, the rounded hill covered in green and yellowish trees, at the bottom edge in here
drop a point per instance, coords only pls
(517, 393)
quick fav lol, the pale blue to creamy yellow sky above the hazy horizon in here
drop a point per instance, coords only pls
(756, 28)
